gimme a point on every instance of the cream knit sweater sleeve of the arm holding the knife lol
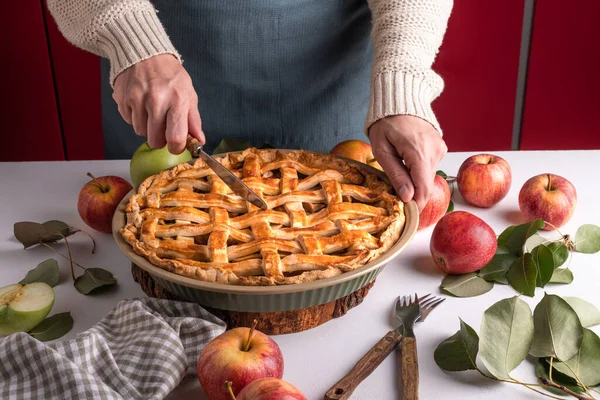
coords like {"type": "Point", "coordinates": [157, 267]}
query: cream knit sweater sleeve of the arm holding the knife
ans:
{"type": "Point", "coordinates": [124, 31]}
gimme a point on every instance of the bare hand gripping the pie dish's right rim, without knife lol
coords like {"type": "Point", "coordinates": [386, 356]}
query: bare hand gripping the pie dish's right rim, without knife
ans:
{"type": "Point", "coordinates": [409, 150]}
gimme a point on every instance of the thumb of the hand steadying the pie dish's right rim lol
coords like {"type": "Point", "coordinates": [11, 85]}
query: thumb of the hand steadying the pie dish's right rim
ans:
{"type": "Point", "coordinates": [395, 169]}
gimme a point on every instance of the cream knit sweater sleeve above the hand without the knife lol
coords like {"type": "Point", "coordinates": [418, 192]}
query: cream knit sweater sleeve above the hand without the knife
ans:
{"type": "Point", "coordinates": [406, 35]}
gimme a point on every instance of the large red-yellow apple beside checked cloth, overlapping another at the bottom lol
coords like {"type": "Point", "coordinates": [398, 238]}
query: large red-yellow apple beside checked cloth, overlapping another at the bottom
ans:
{"type": "Point", "coordinates": [240, 355]}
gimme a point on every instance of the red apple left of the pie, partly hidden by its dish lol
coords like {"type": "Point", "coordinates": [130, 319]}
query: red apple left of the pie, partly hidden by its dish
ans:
{"type": "Point", "coordinates": [99, 199]}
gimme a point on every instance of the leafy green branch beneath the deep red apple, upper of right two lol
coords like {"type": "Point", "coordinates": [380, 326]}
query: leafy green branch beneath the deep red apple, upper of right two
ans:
{"type": "Point", "coordinates": [525, 260]}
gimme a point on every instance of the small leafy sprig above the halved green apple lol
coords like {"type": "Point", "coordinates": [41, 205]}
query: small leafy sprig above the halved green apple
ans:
{"type": "Point", "coordinates": [32, 233]}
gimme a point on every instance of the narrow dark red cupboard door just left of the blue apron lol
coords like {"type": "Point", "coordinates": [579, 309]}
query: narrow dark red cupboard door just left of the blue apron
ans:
{"type": "Point", "coordinates": [77, 77]}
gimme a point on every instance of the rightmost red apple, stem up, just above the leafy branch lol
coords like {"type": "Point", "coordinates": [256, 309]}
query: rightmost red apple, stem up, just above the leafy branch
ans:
{"type": "Point", "coordinates": [549, 197]}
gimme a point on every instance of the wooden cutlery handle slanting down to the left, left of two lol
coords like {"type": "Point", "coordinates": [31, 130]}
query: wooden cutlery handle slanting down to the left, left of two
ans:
{"type": "Point", "coordinates": [363, 368]}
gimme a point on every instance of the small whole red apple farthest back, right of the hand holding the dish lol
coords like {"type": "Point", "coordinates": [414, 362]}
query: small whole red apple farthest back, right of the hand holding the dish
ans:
{"type": "Point", "coordinates": [484, 179]}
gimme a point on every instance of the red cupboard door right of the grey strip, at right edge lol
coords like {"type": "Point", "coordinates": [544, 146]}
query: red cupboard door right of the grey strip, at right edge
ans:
{"type": "Point", "coordinates": [562, 95]}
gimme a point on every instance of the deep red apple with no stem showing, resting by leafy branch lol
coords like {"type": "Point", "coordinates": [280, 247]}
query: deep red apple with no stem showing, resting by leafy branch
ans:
{"type": "Point", "coordinates": [462, 243]}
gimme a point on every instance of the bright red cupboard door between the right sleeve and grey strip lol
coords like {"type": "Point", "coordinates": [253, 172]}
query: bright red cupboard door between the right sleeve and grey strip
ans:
{"type": "Point", "coordinates": [479, 62]}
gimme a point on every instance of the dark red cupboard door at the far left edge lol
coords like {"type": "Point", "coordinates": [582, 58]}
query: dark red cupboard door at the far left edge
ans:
{"type": "Point", "coordinates": [30, 124]}
